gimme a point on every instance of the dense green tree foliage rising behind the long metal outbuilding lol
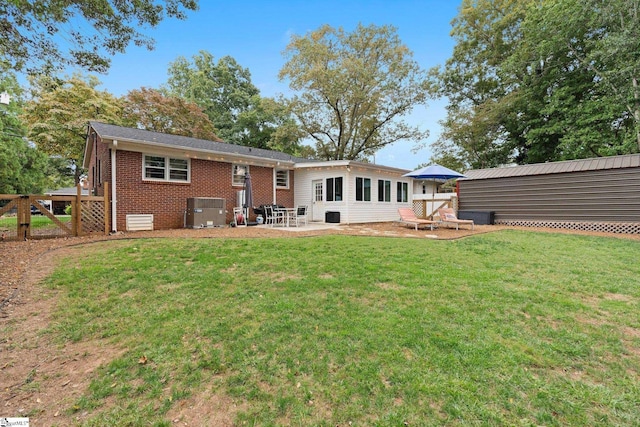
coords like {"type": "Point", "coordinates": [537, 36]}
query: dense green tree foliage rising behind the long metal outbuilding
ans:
{"type": "Point", "coordinates": [532, 82]}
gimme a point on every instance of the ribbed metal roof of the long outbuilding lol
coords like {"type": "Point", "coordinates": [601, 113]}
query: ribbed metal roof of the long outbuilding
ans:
{"type": "Point", "coordinates": [598, 163]}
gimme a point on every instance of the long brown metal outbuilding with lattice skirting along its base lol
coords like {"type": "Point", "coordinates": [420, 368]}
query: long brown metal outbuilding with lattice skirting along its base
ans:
{"type": "Point", "coordinates": [599, 194]}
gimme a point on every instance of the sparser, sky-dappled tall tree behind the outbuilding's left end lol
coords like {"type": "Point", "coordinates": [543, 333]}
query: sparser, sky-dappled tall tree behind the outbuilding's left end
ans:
{"type": "Point", "coordinates": [479, 129]}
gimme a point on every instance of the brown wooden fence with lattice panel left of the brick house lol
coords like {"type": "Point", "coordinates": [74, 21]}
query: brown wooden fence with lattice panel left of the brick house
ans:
{"type": "Point", "coordinates": [24, 217]}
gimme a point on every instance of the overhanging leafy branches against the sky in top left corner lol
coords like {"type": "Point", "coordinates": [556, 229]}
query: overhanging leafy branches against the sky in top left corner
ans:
{"type": "Point", "coordinates": [41, 35]}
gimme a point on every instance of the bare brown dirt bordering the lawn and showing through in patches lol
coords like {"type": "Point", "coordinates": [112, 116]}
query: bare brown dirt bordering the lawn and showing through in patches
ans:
{"type": "Point", "coordinates": [42, 379]}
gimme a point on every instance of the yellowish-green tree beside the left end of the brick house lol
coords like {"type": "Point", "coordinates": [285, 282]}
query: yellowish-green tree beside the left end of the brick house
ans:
{"type": "Point", "coordinates": [58, 113]}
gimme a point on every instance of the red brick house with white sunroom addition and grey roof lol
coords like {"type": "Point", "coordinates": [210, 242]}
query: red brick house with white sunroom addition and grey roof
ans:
{"type": "Point", "coordinates": [151, 173]}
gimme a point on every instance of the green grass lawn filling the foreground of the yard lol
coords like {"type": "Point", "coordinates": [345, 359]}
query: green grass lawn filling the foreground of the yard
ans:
{"type": "Point", "coordinates": [509, 328]}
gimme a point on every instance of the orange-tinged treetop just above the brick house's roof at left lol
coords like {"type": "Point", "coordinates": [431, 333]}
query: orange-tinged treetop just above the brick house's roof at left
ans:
{"type": "Point", "coordinates": [151, 110]}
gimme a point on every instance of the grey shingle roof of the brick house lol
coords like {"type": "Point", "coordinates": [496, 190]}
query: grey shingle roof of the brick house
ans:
{"type": "Point", "coordinates": [106, 131]}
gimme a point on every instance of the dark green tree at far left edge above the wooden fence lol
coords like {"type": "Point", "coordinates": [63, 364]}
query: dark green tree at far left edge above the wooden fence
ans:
{"type": "Point", "coordinates": [21, 165]}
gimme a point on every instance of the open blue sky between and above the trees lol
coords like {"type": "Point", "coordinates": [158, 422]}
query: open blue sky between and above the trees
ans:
{"type": "Point", "coordinates": [256, 33]}
